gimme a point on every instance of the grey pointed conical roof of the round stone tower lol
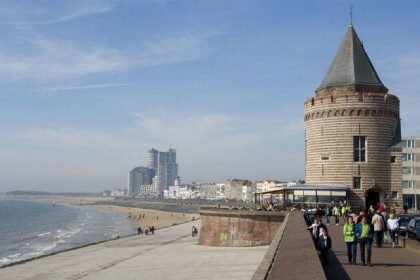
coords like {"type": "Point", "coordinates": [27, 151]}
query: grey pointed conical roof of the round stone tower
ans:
{"type": "Point", "coordinates": [351, 65]}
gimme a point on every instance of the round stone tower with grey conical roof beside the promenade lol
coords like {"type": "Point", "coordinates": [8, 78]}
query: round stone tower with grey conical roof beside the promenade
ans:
{"type": "Point", "coordinates": [352, 130]}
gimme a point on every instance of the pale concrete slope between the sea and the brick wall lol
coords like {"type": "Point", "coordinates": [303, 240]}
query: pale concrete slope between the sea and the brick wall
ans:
{"type": "Point", "coordinates": [169, 254]}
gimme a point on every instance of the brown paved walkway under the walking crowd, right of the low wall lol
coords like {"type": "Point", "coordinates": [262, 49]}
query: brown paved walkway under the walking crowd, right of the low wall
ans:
{"type": "Point", "coordinates": [388, 263]}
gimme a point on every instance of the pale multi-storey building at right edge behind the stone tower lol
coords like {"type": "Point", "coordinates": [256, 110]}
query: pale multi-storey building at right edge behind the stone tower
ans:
{"type": "Point", "coordinates": [411, 171]}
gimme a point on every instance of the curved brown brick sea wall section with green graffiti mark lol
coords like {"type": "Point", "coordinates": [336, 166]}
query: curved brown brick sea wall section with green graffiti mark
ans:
{"type": "Point", "coordinates": [238, 228]}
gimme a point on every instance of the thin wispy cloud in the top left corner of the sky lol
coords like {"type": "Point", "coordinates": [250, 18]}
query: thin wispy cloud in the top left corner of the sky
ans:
{"type": "Point", "coordinates": [32, 12]}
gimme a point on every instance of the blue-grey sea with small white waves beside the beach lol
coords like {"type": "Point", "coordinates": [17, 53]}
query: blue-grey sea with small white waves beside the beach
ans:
{"type": "Point", "coordinates": [31, 229]}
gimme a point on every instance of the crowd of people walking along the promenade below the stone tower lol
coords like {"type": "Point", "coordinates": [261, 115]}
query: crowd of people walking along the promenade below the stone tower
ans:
{"type": "Point", "coordinates": [362, 229]}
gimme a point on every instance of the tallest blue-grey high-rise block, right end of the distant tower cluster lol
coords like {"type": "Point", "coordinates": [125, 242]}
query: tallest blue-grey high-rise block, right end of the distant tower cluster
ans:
{"type": "Point", "coordinates": [166, 172]}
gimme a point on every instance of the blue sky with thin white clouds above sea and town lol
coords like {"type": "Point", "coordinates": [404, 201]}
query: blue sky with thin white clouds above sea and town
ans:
{"type": "Point", "coordinates": [88, 87]}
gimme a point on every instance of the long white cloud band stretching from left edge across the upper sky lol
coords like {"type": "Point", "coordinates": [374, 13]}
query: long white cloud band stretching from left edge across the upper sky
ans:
{"type": "Point", "coordinates": [47, 59]}
